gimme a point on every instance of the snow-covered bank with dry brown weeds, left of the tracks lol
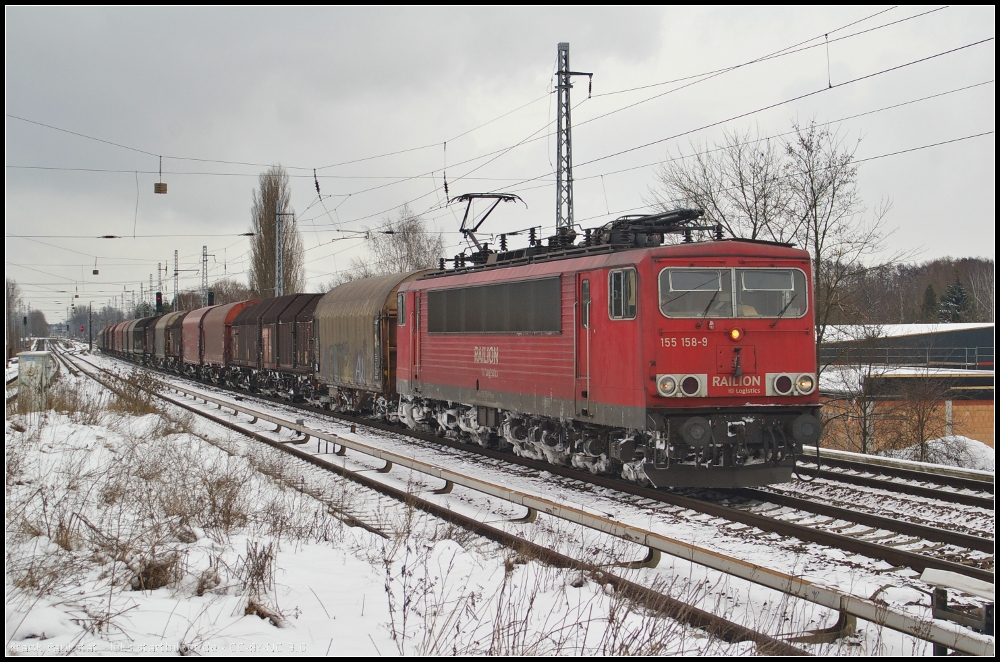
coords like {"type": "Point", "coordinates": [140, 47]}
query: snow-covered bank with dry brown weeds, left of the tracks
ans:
{"type": "Point", "coordinates": [127, 532]}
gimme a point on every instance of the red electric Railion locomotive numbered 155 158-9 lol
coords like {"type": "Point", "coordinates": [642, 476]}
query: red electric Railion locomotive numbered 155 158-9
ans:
{"type": "Point", "coordinates": [691, 364]}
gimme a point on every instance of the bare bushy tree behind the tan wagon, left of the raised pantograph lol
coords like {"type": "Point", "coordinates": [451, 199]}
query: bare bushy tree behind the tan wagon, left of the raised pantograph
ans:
{"type": "Point", "coordinates": [396, 245]}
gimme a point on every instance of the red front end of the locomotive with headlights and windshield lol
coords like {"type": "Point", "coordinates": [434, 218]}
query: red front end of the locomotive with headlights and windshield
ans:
{"type": "Point", "coordinates": [732, 386]}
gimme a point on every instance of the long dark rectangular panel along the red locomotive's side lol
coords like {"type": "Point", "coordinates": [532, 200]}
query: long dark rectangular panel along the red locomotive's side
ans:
{"type": "Point", "coordinates": [533, 306]}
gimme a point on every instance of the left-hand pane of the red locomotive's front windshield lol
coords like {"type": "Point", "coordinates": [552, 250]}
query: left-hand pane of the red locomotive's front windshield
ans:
{"type": "Point", "coordinates": [696, 293]}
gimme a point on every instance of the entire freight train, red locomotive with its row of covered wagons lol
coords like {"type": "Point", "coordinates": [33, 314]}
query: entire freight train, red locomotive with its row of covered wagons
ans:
{"type": "Point", "coordinates": [688, 364]}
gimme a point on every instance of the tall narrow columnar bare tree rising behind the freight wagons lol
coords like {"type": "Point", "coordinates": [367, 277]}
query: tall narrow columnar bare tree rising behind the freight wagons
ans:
{"type": "Point", "coordinates": [274, 189]}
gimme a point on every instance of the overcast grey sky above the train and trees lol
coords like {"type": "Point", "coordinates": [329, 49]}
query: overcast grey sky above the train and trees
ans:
{"type": "Point", "coordinates": [223, 93]}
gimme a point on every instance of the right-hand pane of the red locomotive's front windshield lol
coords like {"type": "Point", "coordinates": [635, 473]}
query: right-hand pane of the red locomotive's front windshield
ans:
{"type": "Point", "coordinates": [771, 293]}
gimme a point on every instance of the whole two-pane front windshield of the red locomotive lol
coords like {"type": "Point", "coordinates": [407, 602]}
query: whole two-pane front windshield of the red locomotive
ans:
{"type": "Point", "coordinates": [709, 293]}
